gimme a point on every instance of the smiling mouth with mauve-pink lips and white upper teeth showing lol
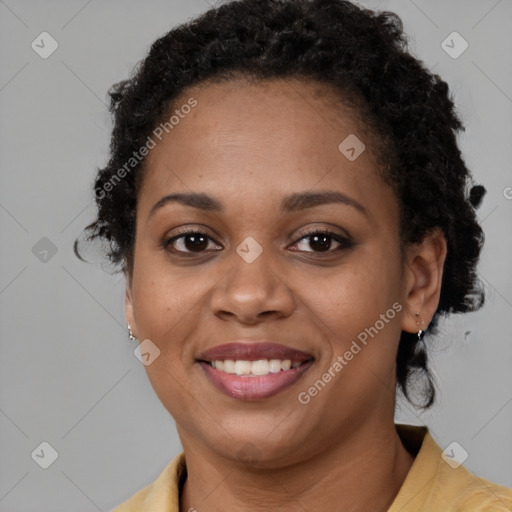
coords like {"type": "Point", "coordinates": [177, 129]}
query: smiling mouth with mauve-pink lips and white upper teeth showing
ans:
{"type": "Point", "coordinates": [253, 371]}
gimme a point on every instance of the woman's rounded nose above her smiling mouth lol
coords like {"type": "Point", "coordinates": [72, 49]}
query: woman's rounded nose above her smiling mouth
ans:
{"type": "Point", "coordinates": [251, 293]}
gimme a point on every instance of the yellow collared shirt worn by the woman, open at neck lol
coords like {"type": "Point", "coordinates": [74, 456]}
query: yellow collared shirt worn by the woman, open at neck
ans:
{"type": "Point", "coordinates": [432, 485]}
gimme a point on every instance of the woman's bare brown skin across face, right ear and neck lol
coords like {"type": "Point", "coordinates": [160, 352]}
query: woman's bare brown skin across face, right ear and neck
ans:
{"type": "Point", "coordinates": [250, 145]}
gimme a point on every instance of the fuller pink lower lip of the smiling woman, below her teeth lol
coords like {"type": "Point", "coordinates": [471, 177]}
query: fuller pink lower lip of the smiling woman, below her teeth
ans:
{"type": "Point", "coordinates": [254, 388]}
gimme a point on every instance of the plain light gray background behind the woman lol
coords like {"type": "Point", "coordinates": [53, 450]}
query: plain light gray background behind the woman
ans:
{"type": "Point", "coordinates": [68, 375]}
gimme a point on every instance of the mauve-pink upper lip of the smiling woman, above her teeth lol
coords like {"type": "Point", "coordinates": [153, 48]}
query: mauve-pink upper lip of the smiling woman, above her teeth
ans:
{"type": "Point", "coordinates": [253, 351]}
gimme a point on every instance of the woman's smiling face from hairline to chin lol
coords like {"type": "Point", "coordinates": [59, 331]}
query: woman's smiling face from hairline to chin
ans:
{"type": "Point", "coordinates": [263, 263]}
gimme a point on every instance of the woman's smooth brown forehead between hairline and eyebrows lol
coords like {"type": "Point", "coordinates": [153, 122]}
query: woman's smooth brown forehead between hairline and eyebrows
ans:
{"type": "Point", "coordinates": [247, 139]}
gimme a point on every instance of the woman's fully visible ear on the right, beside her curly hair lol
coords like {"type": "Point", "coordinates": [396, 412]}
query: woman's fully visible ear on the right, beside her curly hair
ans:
{"type": "Point", "coordinates": [424, 263]}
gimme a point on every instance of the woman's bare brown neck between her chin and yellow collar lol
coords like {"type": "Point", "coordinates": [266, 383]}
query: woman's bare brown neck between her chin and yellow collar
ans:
{"type": "Point", "coordinates": [362, 472]}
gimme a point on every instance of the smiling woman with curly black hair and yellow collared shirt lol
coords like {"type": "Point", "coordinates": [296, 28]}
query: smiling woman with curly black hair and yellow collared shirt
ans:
{"type": "Point", "coordinates": [287, 200]}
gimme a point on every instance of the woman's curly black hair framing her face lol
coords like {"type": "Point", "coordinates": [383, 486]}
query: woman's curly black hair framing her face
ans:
{"type": "Point", "coordinates": [361, 54]}
